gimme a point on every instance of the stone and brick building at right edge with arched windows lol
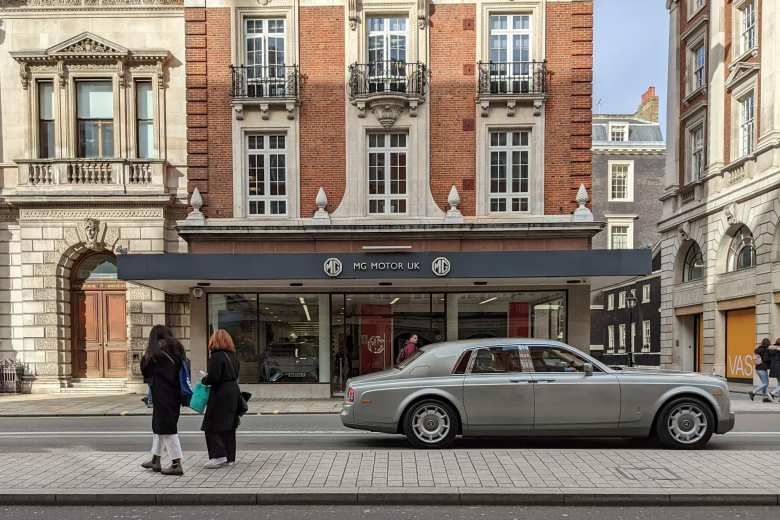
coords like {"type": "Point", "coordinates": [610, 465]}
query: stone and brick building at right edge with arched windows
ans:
{"type": "Point", "coordinates": [715, 309]}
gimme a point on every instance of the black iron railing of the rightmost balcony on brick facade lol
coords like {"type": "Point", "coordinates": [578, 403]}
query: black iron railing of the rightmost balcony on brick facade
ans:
{"type": "Point", "coordinates": [513, 77]}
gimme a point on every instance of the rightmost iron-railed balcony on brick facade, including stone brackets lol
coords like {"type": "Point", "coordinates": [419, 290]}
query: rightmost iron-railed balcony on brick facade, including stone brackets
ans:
{"type": "Point", "coordinates": [512, 83]}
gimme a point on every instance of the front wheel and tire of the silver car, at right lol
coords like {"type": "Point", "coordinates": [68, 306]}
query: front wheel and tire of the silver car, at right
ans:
{"type": "Point", "coordinates": [686, 423]}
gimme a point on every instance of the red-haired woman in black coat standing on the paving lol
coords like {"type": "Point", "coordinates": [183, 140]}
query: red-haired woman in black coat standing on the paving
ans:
{"type": "Point", "coordinates": [221, 418]}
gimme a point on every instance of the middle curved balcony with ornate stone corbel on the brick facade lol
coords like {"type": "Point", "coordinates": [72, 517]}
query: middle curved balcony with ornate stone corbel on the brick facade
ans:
{"type": "Point", "coordinates": [387, 88]}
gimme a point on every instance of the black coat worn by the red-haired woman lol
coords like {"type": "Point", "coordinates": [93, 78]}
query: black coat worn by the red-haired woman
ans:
{"type": "Point", "coordinates": [222, 409]}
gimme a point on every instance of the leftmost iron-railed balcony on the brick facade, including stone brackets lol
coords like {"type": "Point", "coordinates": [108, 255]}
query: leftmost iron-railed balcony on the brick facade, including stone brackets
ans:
{"type": "Point", "coordinates": [265, 87]}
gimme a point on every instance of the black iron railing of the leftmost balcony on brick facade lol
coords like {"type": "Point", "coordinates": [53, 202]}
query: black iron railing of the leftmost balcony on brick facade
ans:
{"type": "Point", "coordinates": [269, 81]}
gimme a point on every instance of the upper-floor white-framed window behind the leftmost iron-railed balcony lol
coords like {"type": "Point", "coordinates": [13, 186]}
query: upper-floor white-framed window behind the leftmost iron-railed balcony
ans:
{"type": "Point", "coordinates": [265, 39]}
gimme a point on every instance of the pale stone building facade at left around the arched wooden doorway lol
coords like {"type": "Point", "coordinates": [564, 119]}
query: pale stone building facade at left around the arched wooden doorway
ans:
{"type": "Point", "coordinates": [60, 207]}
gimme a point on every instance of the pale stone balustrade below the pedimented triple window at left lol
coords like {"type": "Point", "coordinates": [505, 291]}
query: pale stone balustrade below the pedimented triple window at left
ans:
{"type": "Point", "coordinates": [78, 176]}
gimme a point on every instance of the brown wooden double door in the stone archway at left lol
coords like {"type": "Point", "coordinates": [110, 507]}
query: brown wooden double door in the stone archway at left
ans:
{"type": "Point", "coordinates": [99, 333]}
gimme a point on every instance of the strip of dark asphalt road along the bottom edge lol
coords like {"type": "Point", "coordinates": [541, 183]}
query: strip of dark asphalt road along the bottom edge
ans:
{"type": "Point", "coordinates": [386, 513]}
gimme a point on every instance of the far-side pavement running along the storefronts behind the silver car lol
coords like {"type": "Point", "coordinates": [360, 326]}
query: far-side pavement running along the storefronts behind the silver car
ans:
{"type": "Point", "coordinates": [47, 405]}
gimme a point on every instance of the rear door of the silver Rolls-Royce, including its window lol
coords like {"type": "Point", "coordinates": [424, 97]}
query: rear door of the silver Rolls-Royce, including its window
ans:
{"type": "Point", "coordinates": [497, 392]}
